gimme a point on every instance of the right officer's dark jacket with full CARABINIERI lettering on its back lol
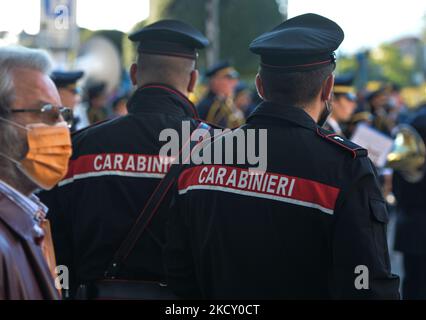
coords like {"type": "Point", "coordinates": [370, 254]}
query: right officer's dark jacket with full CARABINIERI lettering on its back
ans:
{"type": "Point", "coordinates": [307, 228]}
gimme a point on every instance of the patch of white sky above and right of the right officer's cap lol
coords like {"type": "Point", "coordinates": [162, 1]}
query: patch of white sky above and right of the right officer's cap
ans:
{"type": "Point", "coordinates": [367, 23]}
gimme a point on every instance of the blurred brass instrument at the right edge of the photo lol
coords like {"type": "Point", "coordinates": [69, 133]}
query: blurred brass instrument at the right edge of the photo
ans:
{"type": "Point", "coordinates": [408, 154]}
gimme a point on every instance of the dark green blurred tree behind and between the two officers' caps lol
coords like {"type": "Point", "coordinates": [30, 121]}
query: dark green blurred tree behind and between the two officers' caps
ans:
{"type": "Point", "coordinates": [240, 22]}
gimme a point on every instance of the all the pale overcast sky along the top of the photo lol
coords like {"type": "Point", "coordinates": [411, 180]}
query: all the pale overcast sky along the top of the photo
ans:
{"type": "Point", "coordinates": [366, 22]}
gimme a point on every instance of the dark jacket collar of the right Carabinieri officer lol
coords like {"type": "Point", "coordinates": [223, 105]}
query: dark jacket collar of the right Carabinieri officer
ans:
{"type": "Point", "coordinates": [274, 111]}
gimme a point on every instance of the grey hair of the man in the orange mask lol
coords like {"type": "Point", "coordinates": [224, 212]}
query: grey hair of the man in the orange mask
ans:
{"type": "Point", "coordinates": [18, 57]}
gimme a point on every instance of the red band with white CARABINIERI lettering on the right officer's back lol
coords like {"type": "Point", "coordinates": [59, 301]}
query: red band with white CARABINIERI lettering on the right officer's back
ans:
{"type": "Point", "coordinates": [278, 187]}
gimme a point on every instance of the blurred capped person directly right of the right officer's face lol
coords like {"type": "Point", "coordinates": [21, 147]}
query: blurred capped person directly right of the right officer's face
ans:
{"type": "Point", "coordinates": [343, 104]}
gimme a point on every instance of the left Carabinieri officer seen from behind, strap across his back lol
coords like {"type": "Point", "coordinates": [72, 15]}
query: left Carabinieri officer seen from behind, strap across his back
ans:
{"type": "Point", "coordinates": [116, 164]}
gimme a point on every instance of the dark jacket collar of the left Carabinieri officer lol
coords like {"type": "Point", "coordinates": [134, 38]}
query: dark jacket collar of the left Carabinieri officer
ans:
{"type": "Point", "coordinates": [161, 98]}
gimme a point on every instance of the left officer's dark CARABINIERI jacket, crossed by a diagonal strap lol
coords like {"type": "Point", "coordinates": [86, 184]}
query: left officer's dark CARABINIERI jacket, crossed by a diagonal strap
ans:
{"type": "Point", "coordinates": [114, 169]}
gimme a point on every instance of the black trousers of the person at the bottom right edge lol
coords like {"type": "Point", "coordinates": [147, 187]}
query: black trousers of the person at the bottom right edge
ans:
{"type": "Point", "coordinates": [414, 283]}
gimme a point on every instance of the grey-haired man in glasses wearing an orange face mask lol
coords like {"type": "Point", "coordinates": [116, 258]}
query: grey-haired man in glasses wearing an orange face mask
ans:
{"type": "Point", "coordinates": [34, 150]}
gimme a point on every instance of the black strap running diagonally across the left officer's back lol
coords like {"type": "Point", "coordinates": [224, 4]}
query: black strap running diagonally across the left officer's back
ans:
{"type": "Point", "coordinates": [145, 217]}
